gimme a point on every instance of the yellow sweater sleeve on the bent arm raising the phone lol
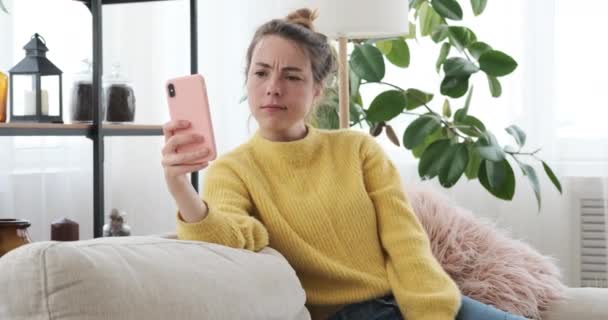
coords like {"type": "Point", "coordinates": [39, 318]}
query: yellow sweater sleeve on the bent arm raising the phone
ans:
{"type": "Point", "coordinates": [228, 221]}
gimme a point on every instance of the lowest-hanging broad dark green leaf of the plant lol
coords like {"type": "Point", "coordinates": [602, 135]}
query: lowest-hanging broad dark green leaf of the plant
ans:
{"type": "Point", "coordinates": [498, 178]}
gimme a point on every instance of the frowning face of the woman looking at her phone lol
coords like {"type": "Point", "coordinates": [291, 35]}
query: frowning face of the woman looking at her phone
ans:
{"type": "Point", "coordinates": [280, 86]}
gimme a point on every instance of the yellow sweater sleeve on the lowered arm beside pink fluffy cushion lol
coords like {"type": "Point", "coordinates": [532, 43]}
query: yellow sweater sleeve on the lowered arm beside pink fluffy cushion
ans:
{"type": "Point", "coordinates": [421, 287]}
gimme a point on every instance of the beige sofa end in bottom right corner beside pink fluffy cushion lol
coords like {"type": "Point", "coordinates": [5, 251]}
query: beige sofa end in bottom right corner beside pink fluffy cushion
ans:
{"type": "Point", "coordinates": [580, 303]}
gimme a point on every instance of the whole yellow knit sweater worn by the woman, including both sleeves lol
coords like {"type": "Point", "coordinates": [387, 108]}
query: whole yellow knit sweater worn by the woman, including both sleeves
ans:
{"type": "Point", "coordinates": [333, 205]}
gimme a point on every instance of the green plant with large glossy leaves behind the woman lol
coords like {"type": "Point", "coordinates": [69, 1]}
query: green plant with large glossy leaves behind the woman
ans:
{"type": "Point", "coordinates": [448, 144]}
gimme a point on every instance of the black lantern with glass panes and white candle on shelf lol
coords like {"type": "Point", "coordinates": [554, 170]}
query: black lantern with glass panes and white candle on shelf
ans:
{"type": "Point", "coordinates": [36, 88]}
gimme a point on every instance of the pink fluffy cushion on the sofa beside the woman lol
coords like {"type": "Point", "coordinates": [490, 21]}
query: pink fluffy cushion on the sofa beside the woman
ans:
{"type": "Point", "coordinates": [484, 261]}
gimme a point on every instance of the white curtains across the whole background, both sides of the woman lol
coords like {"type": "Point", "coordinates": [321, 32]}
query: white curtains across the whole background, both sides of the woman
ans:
{"type": "Point", "coordinates": [554, 95]}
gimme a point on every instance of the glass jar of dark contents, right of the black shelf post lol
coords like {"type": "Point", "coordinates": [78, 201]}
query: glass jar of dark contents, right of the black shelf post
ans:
{"type": "Point", "coordinates": [119, 97]}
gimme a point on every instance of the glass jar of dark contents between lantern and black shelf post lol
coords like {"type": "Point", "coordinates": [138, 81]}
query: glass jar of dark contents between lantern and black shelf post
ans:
{"type": "Point", "coordinates": [82, 95]}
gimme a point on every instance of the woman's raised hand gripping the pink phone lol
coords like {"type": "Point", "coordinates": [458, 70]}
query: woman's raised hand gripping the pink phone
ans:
{"type": "Point", "coordinates": [178, 165]}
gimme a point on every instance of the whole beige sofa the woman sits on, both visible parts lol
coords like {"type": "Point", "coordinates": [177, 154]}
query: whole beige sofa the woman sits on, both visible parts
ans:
{"type": "Point", "coordinates": [157, 278]}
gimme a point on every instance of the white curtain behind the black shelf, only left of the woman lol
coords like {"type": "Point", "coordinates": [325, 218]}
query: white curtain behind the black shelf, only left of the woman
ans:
{"type": "Point", "coordinates": [45, 178]}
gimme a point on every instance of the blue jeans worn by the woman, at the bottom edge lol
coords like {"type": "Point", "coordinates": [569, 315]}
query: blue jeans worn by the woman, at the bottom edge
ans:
{"type": "Point", "coordinates": [386, 308]}
